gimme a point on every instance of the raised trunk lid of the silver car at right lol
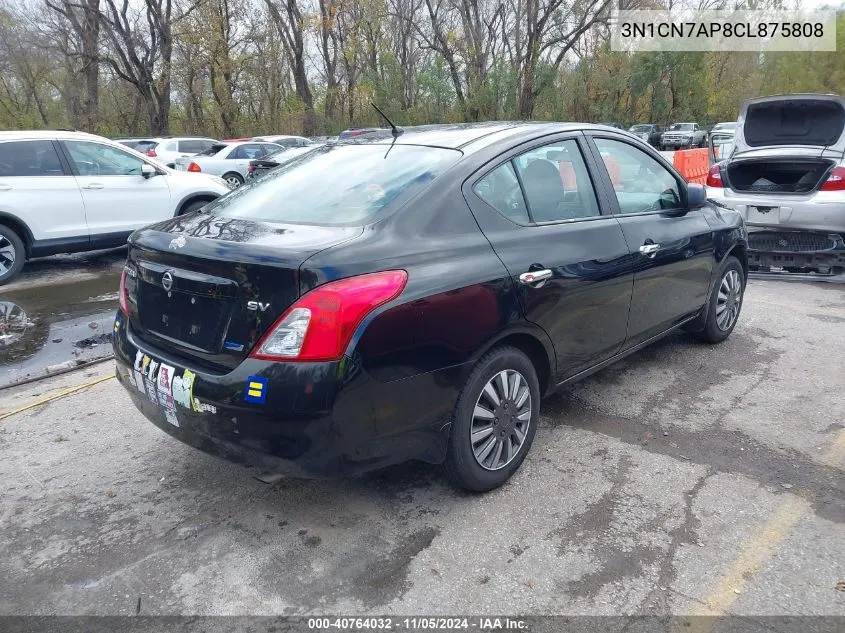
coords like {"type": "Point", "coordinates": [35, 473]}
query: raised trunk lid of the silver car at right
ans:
{"type": "Point", "coordinates": [793, 121]}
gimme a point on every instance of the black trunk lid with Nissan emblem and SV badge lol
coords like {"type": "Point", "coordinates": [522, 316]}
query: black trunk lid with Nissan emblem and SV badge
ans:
{"type": "Point", "coordinates": [208, 287]}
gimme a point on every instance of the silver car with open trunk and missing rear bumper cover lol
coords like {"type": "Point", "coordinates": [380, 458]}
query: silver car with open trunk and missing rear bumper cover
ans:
{"type": "Point", "coordinates": [786, 175]}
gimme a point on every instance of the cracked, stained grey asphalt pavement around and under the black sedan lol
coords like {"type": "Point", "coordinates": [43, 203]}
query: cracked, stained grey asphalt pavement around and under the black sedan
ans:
{"type": "Point", "coordinates": [687, 479]}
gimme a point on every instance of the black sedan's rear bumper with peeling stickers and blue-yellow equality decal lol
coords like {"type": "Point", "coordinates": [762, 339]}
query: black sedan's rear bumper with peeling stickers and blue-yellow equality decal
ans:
{"type": "Point", "coordinates": [307, 419]}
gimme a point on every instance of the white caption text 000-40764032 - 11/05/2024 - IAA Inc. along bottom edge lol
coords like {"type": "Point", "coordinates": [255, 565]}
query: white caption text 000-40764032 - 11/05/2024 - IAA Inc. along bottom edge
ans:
{"type": "Point", "coordinates": [416, 624]}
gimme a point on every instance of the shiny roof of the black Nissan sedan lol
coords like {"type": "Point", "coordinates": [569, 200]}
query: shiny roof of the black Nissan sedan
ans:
{"type": "Point", "coordinates": [467, 136]}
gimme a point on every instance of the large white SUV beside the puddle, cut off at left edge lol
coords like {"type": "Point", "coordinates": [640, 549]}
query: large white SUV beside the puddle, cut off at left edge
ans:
{"type": "Point", "coordinates": [65, 192]}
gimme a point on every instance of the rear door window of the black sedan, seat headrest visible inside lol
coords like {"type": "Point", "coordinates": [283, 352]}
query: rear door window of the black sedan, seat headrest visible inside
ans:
{"type": "Point", "coordinates": [556, 183]}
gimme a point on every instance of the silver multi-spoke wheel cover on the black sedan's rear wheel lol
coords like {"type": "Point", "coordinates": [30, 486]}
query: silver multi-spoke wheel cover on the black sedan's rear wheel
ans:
{"type": "Point", "coordinates": [500, 419]}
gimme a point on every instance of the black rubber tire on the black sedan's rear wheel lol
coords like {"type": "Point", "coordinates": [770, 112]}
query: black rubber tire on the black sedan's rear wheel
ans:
{"type": "Point", "coordinates": [462, 466]}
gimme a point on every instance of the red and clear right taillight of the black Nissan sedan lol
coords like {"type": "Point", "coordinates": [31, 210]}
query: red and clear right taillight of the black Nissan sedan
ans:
{"type": "Point", "coordinates": [319, 326]}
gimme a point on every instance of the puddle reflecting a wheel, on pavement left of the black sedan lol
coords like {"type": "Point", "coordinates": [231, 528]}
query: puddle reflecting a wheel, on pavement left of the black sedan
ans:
{"type": "Point", "coordinates": [48, 325]}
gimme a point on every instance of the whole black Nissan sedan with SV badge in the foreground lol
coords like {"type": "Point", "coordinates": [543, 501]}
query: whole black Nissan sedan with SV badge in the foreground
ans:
{"type": "Point", "coordinates": [416, 297]}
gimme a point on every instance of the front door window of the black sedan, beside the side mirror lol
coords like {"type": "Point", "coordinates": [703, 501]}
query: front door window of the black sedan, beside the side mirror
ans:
{"type": "Point", "coordinates": [639, 181]}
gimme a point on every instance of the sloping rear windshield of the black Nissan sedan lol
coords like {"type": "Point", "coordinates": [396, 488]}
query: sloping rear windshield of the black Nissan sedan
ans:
{"type": "Point", "coordinates": [337, 184]}
